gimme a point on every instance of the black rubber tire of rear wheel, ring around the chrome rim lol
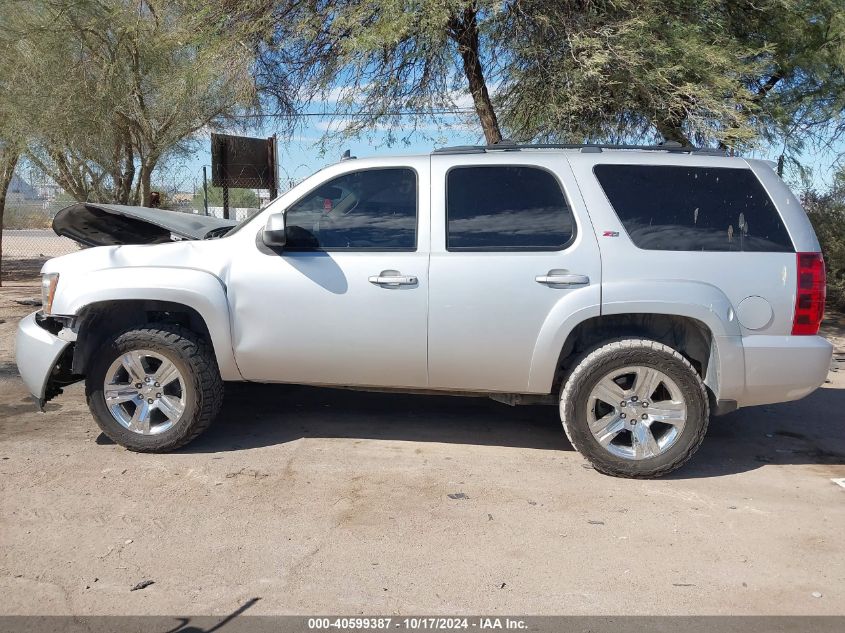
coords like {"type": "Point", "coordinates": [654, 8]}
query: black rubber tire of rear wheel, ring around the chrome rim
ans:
{"type": "Point", "coordinates": [590, 367]}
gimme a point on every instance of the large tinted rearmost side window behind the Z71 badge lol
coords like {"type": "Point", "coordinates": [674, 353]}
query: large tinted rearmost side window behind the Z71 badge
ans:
{"type": "Point", "coordinates": [674, 208]}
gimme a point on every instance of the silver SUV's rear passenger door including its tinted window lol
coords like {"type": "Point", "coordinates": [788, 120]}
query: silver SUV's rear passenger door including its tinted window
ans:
{"type": "Point", "coordinates": [511, 245]}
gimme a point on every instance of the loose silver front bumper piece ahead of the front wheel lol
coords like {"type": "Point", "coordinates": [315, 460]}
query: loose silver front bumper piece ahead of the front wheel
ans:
{"type": "Point", "coordinates": [37, 352]}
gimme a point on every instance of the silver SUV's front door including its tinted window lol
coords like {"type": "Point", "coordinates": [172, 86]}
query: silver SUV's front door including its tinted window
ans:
{"type": "Point", "coordinates": [345, 303]}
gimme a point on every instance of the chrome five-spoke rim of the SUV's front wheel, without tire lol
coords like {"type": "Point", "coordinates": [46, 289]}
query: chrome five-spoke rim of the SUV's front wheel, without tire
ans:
{"type": "Point", "coordinates": [144, 392]}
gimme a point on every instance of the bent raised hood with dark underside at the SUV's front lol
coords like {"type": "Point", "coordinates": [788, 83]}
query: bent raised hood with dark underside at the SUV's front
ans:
{"type": "Point", "coordinates": [94, 224]}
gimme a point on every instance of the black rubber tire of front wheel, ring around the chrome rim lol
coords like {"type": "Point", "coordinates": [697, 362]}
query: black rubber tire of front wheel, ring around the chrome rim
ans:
{"type": "Point", "coordinates": [195, 360]}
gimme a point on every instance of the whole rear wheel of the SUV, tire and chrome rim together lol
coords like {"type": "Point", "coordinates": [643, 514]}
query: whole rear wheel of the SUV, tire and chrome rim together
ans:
{"type": "Point", "coordinates": [640, 439]}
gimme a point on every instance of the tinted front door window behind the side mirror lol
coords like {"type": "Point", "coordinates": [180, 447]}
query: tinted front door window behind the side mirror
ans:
{"type": "Point", "coordinates": [374, 209]}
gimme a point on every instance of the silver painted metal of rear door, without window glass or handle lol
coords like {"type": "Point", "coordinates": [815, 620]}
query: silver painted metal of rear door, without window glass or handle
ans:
{"type": "Point", "coordinates": [490, 321]}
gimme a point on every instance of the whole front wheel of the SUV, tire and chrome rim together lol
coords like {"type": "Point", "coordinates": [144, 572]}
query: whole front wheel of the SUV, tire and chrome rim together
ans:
{"type": "Point", "coordinates": [177, 410]}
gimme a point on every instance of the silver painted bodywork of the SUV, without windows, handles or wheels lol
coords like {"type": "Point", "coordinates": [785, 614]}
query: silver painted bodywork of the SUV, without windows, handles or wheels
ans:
{"type": "Point", "coordinates": [477, 321]}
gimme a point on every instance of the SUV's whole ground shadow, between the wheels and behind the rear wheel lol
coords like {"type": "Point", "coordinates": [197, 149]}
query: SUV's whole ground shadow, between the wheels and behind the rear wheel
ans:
{"type": "Point", "coordinates": [810, 431]}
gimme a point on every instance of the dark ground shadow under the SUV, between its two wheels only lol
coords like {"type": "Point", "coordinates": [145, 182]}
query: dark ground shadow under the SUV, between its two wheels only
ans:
{"type": "Point", "coordinates": [262, 415]}
